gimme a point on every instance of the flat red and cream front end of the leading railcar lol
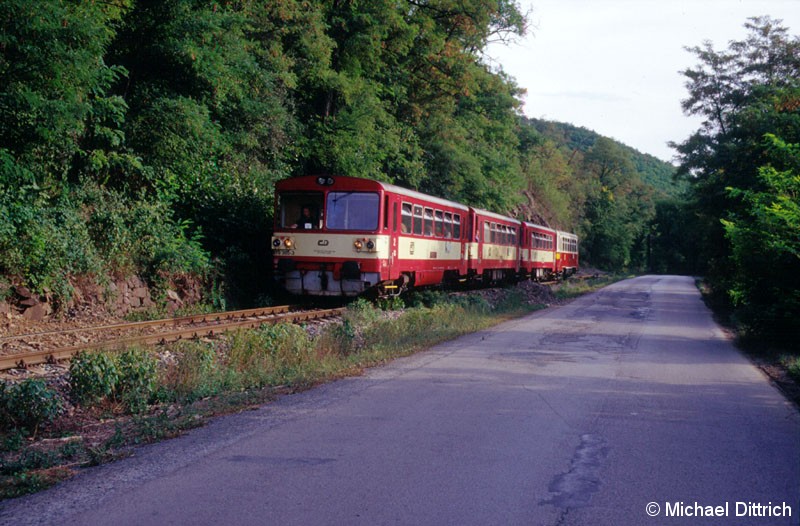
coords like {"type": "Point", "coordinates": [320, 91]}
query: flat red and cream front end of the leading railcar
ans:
{"type": "Point", "coordinates": [328, 237]}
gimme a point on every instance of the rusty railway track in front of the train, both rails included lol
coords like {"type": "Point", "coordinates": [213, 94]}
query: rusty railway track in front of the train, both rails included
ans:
{"type": "Point", "coordinates": [24, 350]}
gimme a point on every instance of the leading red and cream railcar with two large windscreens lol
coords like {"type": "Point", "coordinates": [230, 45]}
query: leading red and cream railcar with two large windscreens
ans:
{"type": "Point", "coordinates": [343, 236]}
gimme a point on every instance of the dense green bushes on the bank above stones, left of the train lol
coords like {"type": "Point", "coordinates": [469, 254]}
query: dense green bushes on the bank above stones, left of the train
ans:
{"type": "Point", "coordinates": [88, 229]}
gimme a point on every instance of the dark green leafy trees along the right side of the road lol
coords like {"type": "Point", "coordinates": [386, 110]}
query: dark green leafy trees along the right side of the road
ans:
{"type": "Point", "coordinates": [741, 163]}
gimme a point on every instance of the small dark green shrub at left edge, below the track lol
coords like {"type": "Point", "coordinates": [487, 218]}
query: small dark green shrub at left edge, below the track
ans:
{"type": "Point", "coordinates": [28, 404]}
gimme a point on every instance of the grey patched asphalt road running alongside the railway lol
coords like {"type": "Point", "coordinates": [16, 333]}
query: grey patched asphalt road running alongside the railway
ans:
{"type": "Point", "coordinates": [593, 413]}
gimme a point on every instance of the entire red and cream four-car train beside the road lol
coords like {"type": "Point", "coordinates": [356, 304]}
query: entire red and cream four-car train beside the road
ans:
{"type": "Point", "coordinates": [345, 236]}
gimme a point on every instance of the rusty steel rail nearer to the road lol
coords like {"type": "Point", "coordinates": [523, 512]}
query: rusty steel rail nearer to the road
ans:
{"type": "Point", "coordinates": [22, 360]}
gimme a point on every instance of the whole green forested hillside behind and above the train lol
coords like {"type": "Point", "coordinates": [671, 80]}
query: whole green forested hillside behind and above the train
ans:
{"type": "Point", "coordinates": [145, 137]}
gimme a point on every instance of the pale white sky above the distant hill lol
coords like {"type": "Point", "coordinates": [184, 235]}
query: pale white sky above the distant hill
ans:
{"type": "Point", "coordinates": [613, 66]}
